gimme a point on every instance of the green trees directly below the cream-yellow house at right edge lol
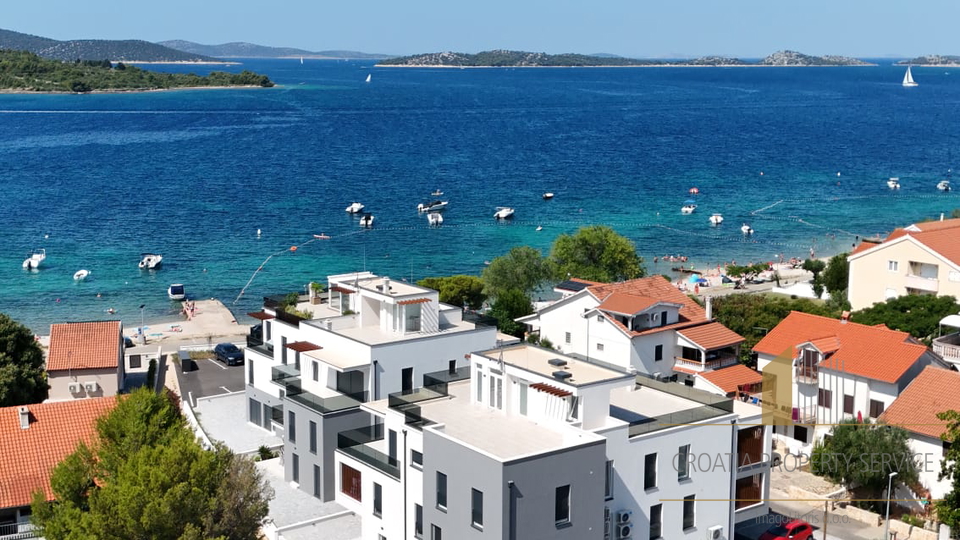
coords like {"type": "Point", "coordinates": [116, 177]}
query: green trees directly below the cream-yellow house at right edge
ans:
{"type": "Point", "coordinates": [917, 314]}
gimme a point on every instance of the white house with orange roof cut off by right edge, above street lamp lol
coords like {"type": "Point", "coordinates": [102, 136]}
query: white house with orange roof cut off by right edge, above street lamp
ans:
{"type": "Point", "coordinates": [933, 391]}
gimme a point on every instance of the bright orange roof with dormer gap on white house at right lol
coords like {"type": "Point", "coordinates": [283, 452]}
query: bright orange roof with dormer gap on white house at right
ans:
{"type": "Point", "coordinates": [873, 352]}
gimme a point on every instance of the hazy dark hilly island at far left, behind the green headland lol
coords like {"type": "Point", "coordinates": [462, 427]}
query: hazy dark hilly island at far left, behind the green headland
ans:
{"type": "Point", "coordinates": [98, 49]}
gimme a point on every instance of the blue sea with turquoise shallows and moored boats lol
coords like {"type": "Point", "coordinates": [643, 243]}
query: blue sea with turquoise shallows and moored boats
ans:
{"type": "Point", "coordinates": [98, 179]}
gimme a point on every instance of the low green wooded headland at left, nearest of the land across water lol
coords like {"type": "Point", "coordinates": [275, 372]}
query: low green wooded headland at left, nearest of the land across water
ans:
{"type": "Point", "coordinates": [23, 71]}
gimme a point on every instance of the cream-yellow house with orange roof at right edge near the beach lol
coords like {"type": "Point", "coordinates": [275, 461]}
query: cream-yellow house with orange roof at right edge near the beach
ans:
{"type": "Point", "coordinates": [923, 258]}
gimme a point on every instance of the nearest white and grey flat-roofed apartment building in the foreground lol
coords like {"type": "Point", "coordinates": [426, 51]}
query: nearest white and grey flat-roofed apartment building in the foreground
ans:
{"type": "Point", "coordinates": [528, 443]}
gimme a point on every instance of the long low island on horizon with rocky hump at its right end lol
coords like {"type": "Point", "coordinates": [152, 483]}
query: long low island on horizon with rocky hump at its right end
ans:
{"type": "Point", "coordinates": [503, 58]}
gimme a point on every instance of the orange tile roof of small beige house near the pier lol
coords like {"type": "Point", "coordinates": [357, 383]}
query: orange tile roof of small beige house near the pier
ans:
{"type": "Point", "coordinates": [86, 345]}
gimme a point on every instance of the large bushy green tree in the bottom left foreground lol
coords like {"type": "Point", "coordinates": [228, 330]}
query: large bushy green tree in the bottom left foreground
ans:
{"type": "Point", "coordinates": [146, 476]}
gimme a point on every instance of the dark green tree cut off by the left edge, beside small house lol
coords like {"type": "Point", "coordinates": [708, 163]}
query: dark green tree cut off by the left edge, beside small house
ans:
{"type": "Point", "coordinates": [23, 379]}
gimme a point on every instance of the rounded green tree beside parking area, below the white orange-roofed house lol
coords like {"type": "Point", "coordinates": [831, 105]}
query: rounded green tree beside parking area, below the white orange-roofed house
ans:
{"type": "Point", "coordinates": [877, 450]}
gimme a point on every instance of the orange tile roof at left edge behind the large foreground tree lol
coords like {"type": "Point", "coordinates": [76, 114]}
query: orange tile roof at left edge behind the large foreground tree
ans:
{"type": "Point", "coordinates": [29, 455]}
